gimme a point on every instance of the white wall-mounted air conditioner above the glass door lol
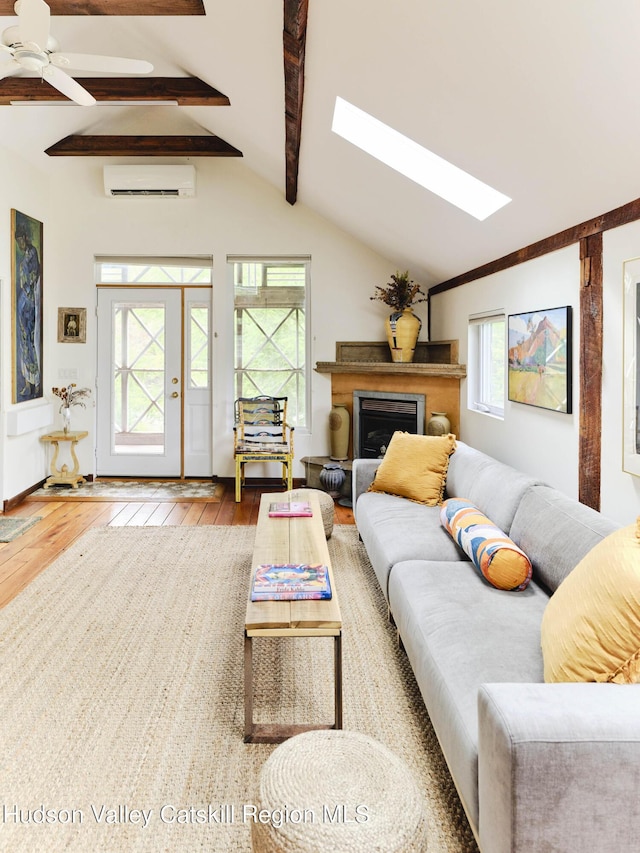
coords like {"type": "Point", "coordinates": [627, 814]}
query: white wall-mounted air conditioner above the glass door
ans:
{"type": "Point", "coordinates": [150, 181]}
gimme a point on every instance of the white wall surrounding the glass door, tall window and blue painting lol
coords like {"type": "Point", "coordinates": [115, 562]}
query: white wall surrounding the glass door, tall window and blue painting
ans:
{"type": "Point", "coordinates": [235, 212]}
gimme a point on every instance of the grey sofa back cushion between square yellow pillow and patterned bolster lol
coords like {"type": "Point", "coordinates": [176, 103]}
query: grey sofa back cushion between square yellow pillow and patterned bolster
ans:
{"type": "Point", "coordinates": [492, 486]}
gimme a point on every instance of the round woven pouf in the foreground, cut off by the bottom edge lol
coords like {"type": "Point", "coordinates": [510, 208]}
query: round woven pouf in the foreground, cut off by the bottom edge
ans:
{"type": "Point", "coordinates": [340, 791]}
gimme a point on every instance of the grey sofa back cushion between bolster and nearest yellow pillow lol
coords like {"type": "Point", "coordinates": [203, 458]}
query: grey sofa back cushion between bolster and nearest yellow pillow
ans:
{"type": "Point", "coordinates": [556, 532]}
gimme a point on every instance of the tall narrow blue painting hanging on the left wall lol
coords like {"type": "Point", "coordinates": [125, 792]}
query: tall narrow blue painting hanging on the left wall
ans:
{"type": "Point", "coordinates": [26, 307]}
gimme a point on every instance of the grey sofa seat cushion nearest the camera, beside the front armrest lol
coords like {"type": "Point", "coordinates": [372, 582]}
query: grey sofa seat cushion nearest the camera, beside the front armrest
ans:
{"type": "Point", "coordinates": [458, 633]}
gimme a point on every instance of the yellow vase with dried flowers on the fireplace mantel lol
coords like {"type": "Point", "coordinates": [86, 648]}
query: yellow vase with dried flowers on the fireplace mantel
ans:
{"type": "Point", "coordinates": [402, 325]}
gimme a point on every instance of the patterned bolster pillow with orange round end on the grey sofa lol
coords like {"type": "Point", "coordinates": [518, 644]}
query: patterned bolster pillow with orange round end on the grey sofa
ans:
{"type": "Point", "coordinates": [497, 557]}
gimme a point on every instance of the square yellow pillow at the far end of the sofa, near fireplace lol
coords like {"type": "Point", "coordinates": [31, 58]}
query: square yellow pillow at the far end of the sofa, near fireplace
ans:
{"type": "Point", "coordinates": [415, 467]}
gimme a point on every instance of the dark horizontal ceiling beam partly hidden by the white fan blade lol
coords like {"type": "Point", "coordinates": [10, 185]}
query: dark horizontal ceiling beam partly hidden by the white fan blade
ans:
{"type": "Point", "coordinates": [186, 91]}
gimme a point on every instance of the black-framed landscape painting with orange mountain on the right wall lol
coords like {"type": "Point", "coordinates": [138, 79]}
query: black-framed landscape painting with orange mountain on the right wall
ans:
{"type": "Point", "coordinates": [540, 358]}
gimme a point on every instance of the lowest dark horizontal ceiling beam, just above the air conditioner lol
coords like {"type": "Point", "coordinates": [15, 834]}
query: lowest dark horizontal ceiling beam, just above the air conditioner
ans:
{"type": "Point", "coordinates": [142, 146]}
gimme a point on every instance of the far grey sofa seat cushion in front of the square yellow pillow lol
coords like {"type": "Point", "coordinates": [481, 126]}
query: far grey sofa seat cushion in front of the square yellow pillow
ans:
{"type": "Point", "coordinates": [394, 529]}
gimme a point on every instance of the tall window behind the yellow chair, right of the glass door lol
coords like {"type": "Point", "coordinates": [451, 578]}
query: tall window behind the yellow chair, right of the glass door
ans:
{"type": "Point", "coordinates": [270, 331]}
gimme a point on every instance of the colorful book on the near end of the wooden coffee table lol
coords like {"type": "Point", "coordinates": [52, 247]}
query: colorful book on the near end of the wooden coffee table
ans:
{"type": "Point", "coordinates": [290, 582]}
